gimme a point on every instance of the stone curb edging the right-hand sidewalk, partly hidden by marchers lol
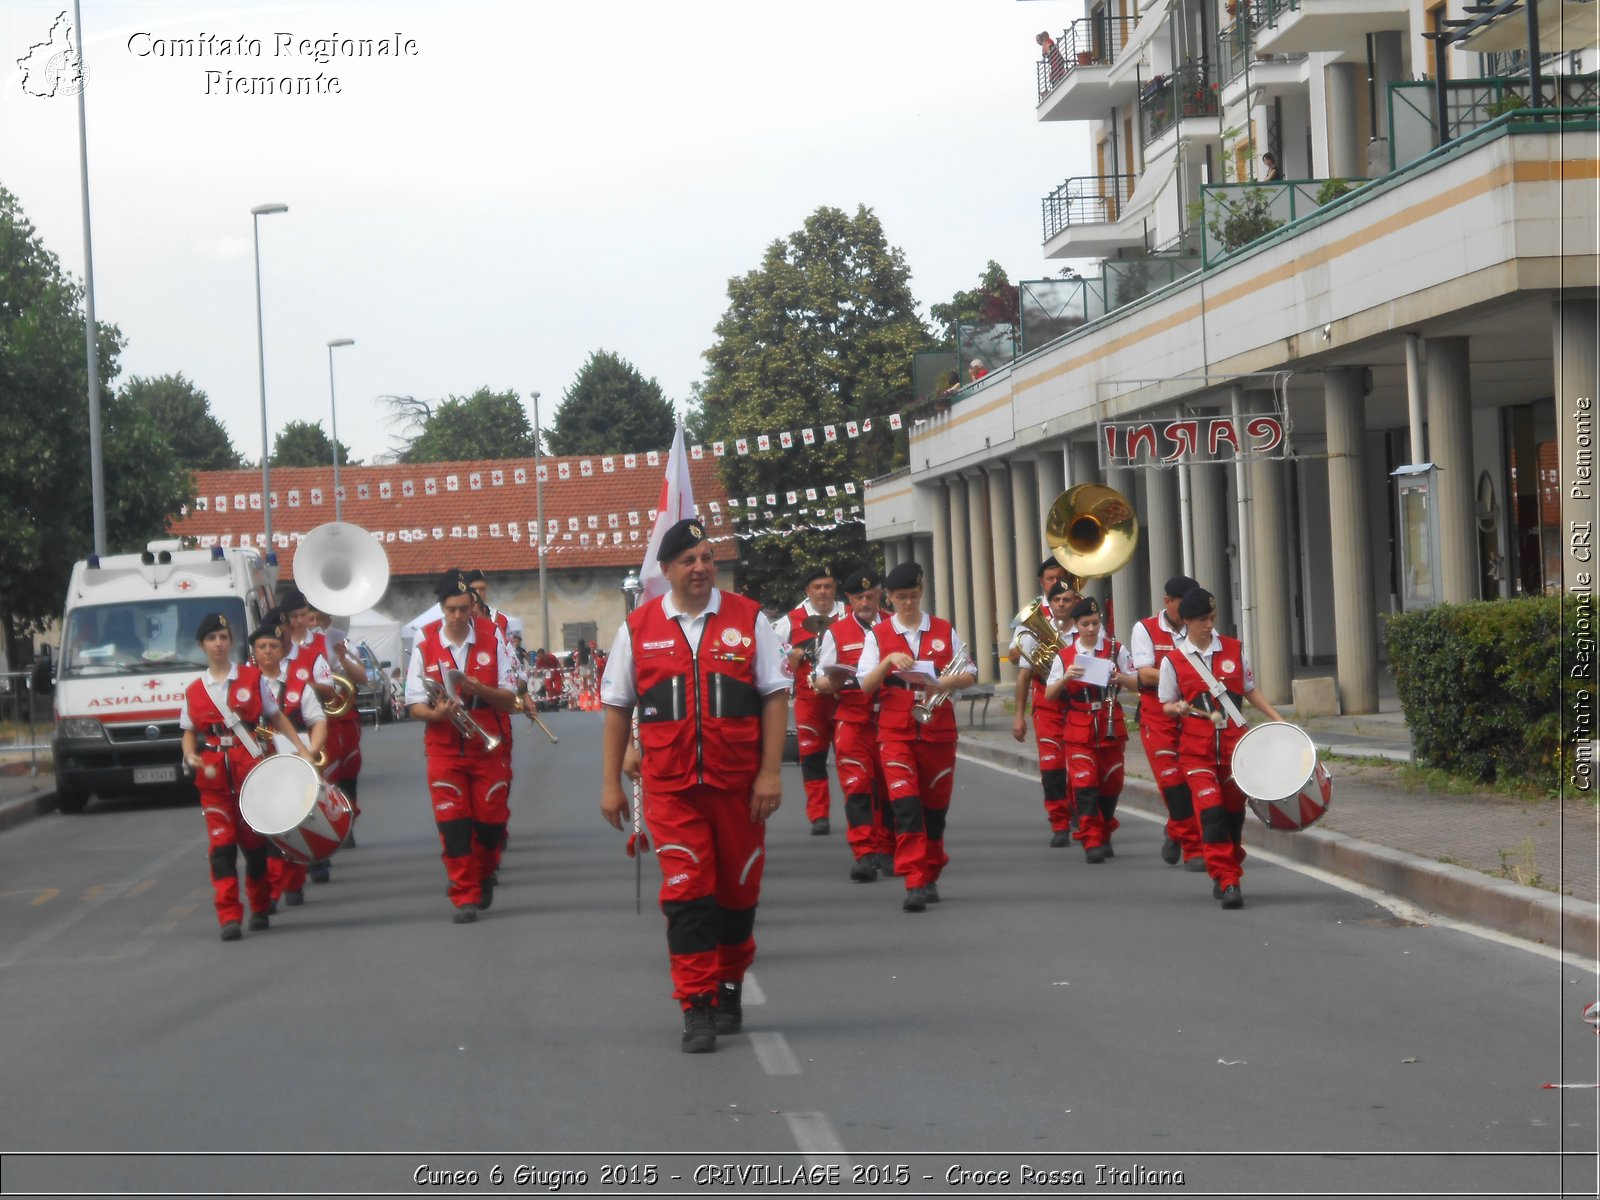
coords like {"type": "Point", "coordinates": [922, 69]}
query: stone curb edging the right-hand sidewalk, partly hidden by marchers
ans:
{"type": "Point", "coordinates": [1439, 887]}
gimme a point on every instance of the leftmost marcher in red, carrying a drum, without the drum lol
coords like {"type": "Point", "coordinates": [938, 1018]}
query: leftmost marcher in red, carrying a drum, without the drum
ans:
{"type": "Point", "coordinates": [222, 711]}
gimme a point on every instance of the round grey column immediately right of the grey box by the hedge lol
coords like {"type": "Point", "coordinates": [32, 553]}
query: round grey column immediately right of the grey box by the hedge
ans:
{"type": "Point", "coordinates": [1450, 447]}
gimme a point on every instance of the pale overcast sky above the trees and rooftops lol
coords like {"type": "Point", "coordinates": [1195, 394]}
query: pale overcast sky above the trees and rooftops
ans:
{"type": "Point", "coordinates": [537, 182]}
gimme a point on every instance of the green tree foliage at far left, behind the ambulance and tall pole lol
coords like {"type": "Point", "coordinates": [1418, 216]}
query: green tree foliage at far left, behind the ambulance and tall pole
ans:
{"type": "Point", "coordinates": [47, 519]}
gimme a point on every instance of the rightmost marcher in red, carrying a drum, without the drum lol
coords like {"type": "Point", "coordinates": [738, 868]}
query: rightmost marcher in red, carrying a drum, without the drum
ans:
{"type": "Point", "coordinates": [1207, 737]}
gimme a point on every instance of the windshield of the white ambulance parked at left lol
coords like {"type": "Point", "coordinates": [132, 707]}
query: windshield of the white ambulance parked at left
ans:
{"type": "Point", "coordinates": [142, 638]}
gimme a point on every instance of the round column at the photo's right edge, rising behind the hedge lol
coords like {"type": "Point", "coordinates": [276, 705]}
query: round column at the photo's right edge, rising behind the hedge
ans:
{"type": "Point", "coordinates": [1577, 369]}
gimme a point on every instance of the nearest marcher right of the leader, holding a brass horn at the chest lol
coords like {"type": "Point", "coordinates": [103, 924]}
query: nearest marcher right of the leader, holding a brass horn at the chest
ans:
{"type": "Point", "coordinates": [919, 758]}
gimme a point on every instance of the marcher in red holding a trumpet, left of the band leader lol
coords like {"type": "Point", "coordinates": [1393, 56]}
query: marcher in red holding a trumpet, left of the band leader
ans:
{"type": "Point", "coordinates": [468, 783]}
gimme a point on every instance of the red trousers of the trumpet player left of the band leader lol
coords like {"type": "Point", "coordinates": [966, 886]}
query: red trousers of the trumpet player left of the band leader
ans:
{"type": "Point", "coordinates": [470, 794]}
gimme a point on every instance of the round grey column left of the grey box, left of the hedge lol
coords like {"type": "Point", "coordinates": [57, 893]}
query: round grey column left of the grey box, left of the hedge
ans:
{"type": "Point", "coordinates": [1354, 634]}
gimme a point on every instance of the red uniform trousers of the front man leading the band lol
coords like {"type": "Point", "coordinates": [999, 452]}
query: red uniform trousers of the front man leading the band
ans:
{"type": "Point", "coordinates": [711, 857]}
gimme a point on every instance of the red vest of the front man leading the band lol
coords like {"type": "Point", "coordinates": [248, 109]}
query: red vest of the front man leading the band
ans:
{"type": "Point", "coordinates": [700, 716]}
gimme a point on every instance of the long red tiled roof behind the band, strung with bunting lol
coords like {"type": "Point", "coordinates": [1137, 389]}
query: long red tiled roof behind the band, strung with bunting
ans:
{"type": "Point", "coordinates": [431, 516]}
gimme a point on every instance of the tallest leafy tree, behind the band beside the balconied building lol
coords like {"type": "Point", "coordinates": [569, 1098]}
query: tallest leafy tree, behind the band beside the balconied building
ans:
{"type": "Point", "coordinates": [822, 334]}
